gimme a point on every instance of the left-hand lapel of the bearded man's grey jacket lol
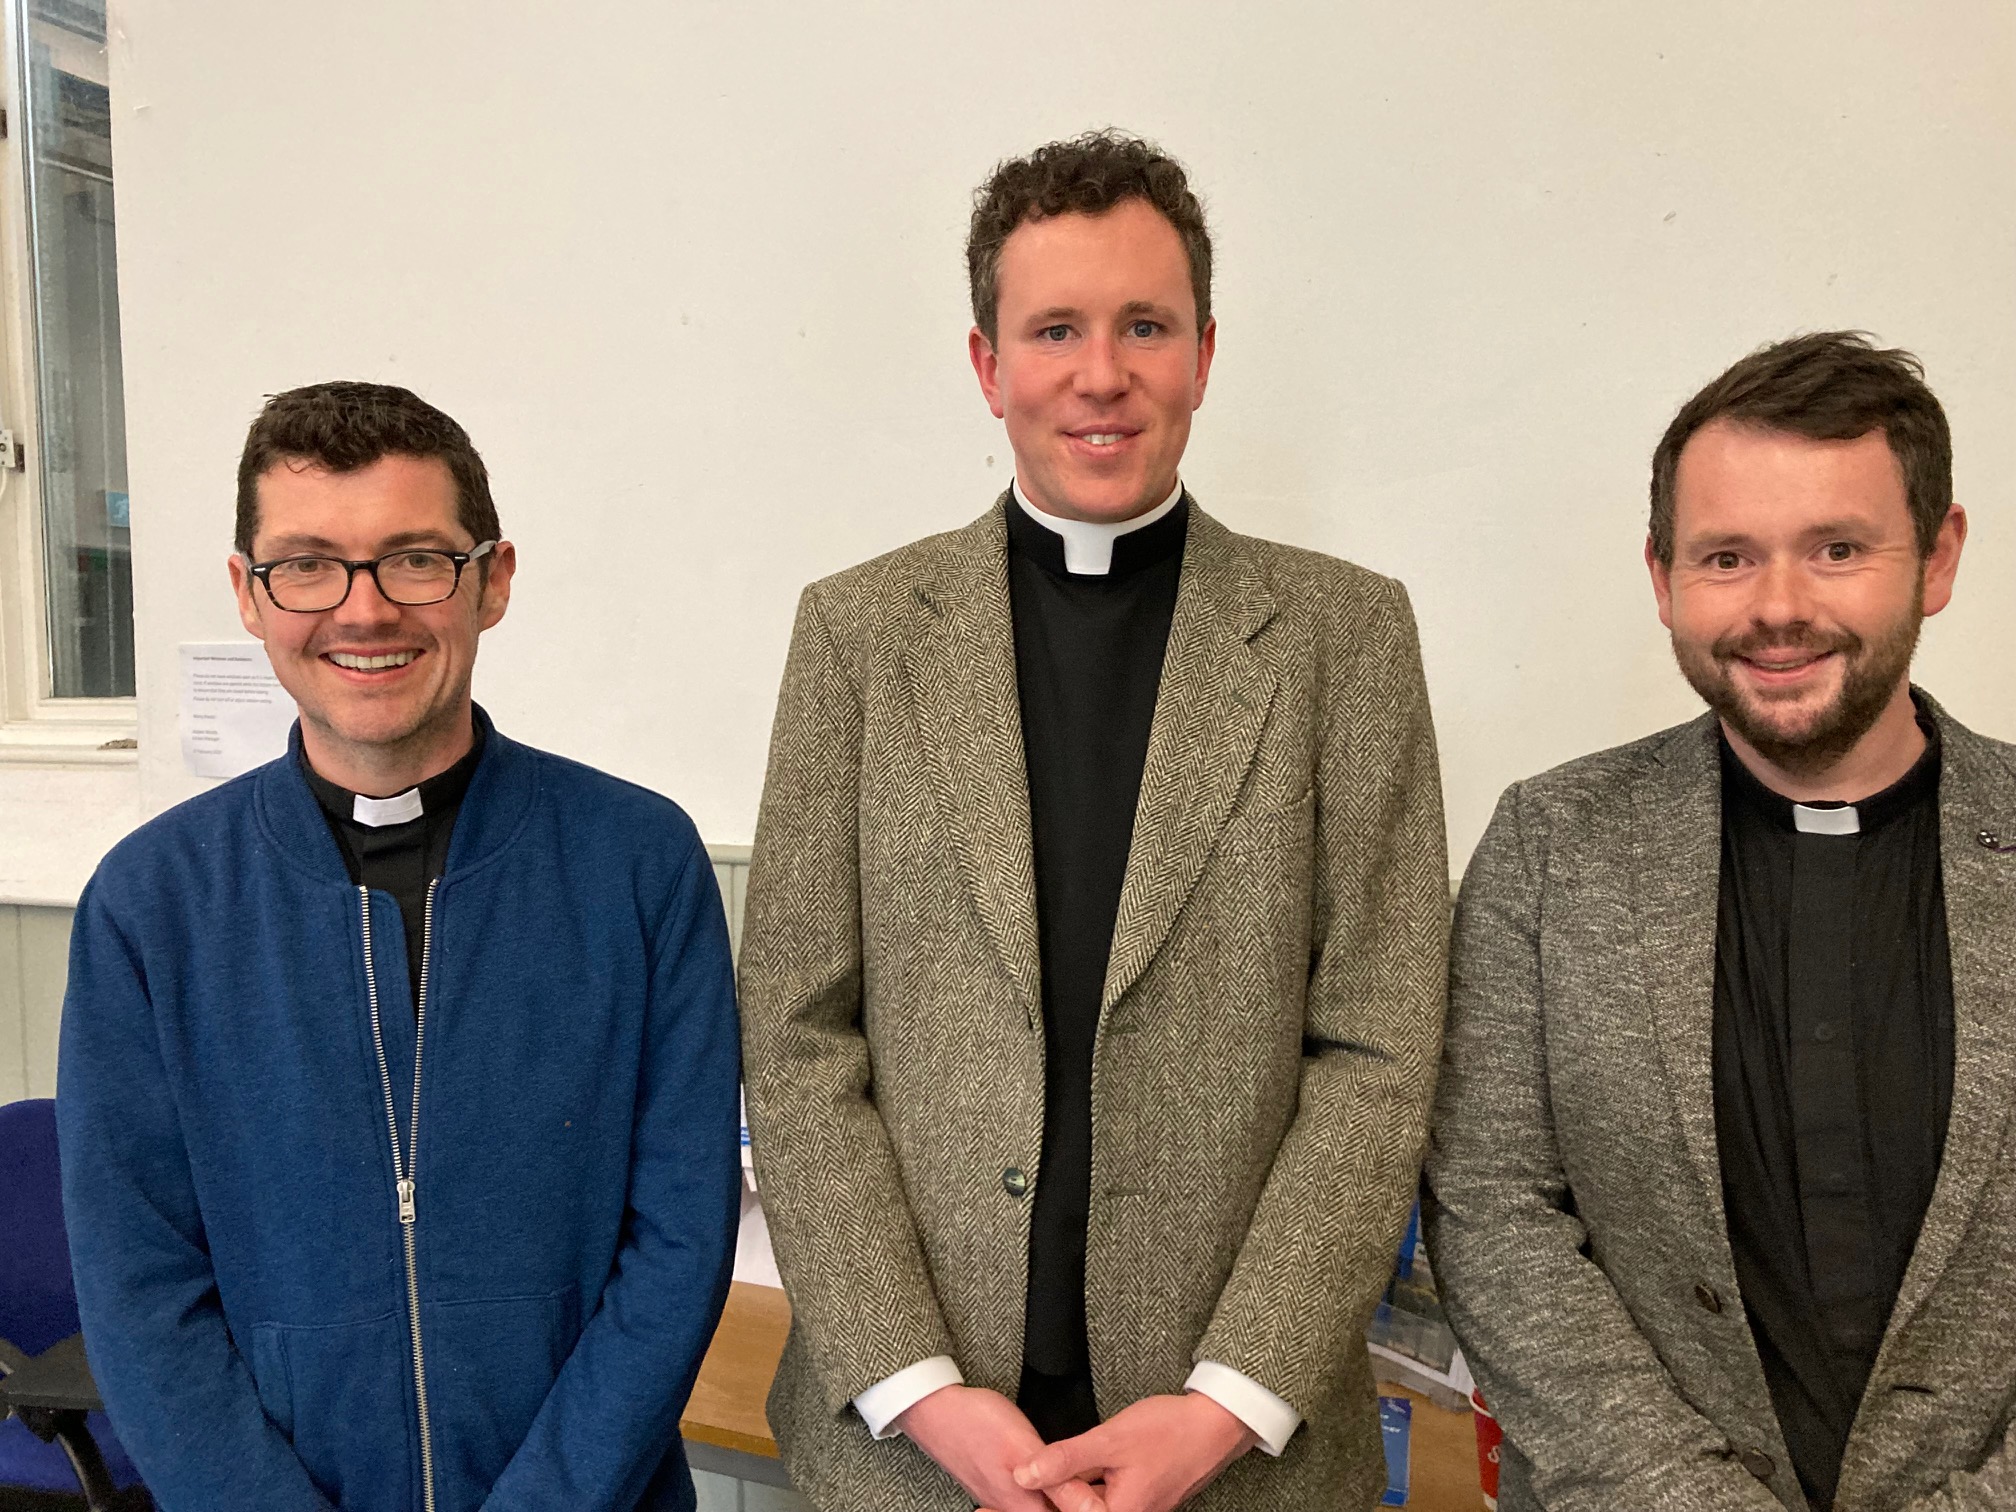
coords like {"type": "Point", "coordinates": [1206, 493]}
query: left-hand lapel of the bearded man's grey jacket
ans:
{"type": "Point", "coordinates": [1676, 876]}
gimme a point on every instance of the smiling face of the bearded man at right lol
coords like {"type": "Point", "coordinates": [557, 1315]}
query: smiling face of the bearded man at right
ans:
{"type": "Point", "coordinates": [1797, 590]}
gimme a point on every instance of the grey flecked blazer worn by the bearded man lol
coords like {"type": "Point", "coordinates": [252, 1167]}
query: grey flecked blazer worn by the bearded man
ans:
{"type": "Point", "coordinates": [1578, 1221]}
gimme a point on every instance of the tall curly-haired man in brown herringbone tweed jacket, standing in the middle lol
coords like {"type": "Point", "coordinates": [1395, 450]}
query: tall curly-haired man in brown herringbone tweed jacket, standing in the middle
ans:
{"type": "Point", "coordinates": [1100, 864]}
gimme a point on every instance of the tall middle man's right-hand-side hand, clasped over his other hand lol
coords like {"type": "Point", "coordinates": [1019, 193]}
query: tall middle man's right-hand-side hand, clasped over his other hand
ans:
{"type": "Point", "coordinates": [1152, 1457]}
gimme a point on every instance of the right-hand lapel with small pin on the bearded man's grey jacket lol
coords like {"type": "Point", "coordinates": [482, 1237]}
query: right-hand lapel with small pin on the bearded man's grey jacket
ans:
{"type": "Point", "coordinates": [1977, 815]}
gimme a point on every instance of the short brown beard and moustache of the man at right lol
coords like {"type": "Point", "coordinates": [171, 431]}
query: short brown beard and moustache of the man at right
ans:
{"type": "Point", "coordinates": [1777, 729]}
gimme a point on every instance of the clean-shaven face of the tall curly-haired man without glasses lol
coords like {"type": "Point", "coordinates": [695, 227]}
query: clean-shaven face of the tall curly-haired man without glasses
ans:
{"type": "Point", "coordinates": [1098, 360]}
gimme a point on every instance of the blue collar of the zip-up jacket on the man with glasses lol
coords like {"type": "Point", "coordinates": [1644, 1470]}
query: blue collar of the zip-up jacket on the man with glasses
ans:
{"type": "Point", "coordinates": [493, 811]}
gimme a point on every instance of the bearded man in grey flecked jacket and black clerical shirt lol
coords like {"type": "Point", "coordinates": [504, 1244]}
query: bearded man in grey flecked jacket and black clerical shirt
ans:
{"type": "Point", "coordinates": [1725, 1201]}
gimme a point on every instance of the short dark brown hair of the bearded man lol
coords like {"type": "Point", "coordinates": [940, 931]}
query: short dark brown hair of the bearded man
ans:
{"type": "Point", "coordinates": [1828, 386]}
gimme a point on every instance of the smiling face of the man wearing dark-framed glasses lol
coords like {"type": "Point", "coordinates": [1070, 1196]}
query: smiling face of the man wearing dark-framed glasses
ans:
{"type": "Point", "coordinates": [384, 688]}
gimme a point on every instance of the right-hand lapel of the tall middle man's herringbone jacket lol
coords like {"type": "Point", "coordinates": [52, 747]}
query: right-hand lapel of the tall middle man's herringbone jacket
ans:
{"type": "Point", "coordinates": [1211, 709]}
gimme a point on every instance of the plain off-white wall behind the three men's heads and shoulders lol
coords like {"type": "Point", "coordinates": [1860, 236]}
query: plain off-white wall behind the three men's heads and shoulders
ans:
{"type": "Point", "coordinates": [692, 279]}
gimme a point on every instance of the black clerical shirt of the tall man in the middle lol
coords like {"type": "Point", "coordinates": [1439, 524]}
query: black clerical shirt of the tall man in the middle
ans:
{"type": "Point", "coordinates": [1088, 670]}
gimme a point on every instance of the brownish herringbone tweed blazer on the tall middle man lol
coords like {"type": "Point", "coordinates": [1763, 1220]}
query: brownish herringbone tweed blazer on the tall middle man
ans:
{"type": "Point", "coordinates": [1267, 1039]}
